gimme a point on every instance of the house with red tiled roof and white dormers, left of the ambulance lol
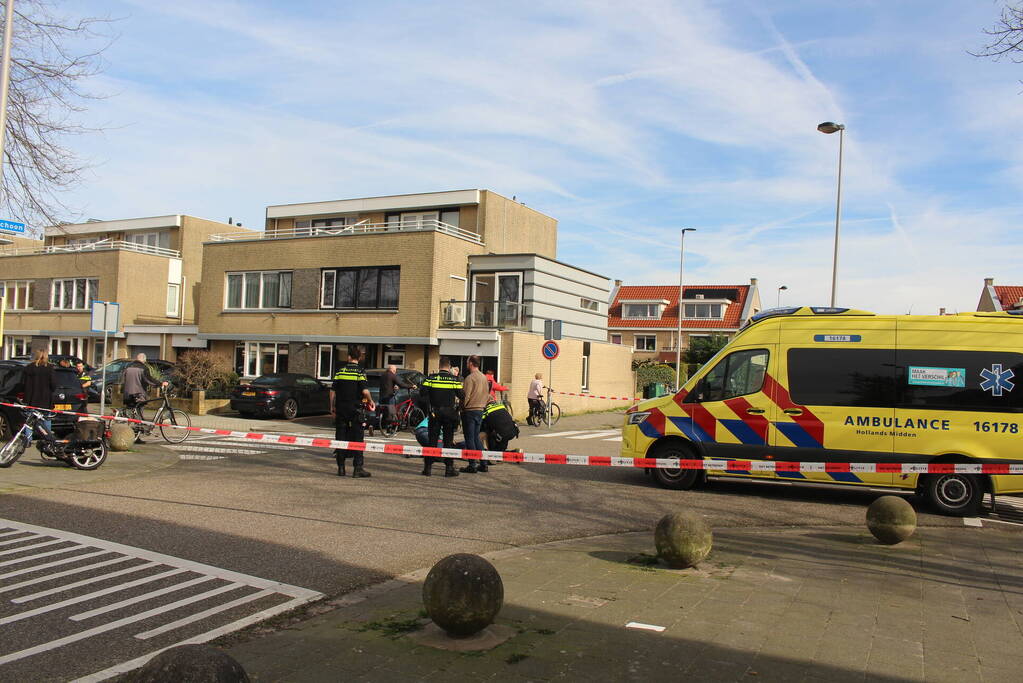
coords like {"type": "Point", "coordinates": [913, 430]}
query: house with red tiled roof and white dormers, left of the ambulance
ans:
{"type": "Point", "coordinates": [646, 317]}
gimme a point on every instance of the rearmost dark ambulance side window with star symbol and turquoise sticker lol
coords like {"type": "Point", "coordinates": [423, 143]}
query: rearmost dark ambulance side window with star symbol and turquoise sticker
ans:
{"type": "Point", "coordinates": [981, 381]}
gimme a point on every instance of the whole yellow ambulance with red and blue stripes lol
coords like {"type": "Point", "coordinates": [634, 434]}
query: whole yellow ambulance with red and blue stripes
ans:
{"type": "Point", "coordinates": [841, 386]}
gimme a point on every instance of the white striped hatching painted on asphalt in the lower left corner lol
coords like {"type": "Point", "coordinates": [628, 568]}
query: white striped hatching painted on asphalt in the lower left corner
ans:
{"type": "Point", "coordinates": [86, 548]}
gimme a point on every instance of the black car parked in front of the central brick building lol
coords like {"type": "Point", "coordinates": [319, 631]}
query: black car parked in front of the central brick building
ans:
{"type": "Point", "coordinates": [284, 394]}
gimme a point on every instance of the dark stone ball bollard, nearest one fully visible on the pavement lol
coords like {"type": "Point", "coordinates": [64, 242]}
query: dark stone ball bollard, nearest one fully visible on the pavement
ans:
{"type": "Point", "coordinates": [463, 595]}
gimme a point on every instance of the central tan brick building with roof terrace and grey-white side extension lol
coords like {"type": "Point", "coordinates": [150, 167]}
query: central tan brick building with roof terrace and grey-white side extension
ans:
{"type": "Point", "coordinates": [409, 279]}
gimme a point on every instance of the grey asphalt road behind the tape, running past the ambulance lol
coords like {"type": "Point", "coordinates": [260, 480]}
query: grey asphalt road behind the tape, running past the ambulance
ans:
{"type": "Point", "coordinates": [281, 515]}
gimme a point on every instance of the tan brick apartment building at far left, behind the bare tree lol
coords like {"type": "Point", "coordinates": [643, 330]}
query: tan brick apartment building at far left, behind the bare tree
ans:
{"type": "Point", "coordinates": [151, 266]}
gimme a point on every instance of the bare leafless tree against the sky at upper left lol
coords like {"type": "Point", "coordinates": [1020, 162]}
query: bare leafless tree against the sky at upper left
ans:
{"type": "Point", "coordinates": [53, 59]}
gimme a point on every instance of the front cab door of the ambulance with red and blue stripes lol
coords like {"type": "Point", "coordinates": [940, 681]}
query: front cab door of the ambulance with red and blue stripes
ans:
{"type": "Point", "coordinates": [729, 413]}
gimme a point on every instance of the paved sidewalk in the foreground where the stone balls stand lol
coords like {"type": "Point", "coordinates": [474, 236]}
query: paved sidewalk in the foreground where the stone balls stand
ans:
{"type": "Point", "coordinates": [770, 605]}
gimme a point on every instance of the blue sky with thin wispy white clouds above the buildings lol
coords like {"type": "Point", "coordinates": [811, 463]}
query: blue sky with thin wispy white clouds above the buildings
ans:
{"type": "Point", "coordinates": [625, 121]}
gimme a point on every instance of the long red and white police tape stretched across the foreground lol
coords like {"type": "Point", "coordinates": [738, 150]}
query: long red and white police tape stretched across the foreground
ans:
{"type": "Point", "coordinates": [593, 461]}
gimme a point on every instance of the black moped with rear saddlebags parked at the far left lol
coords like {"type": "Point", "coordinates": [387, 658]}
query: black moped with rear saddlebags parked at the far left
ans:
{"type": "Point", "coordinates": [85, 450]}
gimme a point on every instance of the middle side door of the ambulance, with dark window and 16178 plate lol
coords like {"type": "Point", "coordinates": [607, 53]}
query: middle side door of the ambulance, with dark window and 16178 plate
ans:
{"type": "Point", "coordinates": [836, 396]}
